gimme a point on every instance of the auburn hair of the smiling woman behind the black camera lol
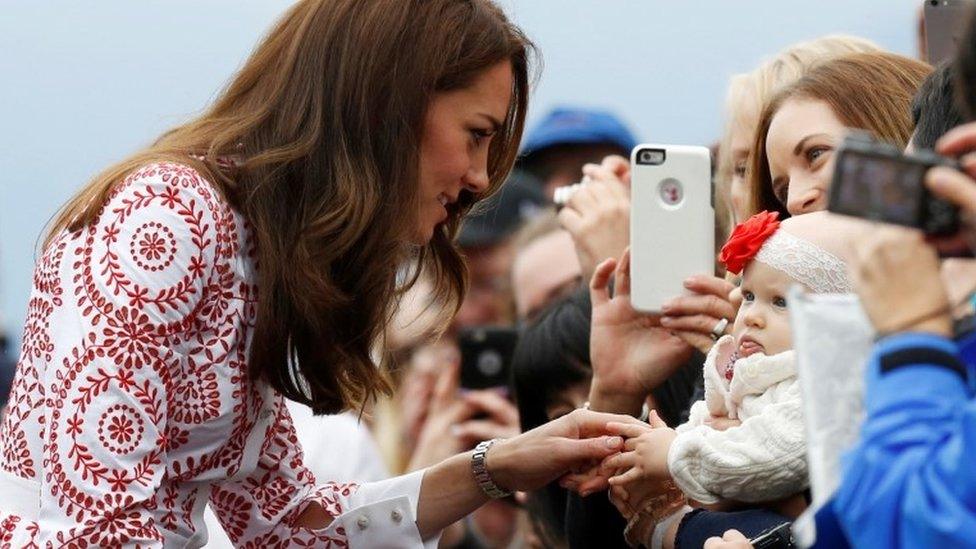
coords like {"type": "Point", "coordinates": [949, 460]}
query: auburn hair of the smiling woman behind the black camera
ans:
{"type": "Point", "coordinates": [870, 91]}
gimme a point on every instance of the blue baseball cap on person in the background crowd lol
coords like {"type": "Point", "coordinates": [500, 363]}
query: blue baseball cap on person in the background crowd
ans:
{"type": "Point", "coordinates": [577, 126]}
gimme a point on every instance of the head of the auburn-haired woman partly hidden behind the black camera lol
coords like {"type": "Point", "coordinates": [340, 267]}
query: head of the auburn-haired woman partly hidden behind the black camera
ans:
{"type": "Point", "coordinates": [804, 123]}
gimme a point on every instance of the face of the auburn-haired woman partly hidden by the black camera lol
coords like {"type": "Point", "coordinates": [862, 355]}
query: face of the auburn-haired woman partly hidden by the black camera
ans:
{"type": "Point", "coordinates": [800, 148]}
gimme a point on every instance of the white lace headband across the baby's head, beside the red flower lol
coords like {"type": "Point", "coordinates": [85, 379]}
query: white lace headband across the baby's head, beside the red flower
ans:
{"type": "Point", "coordinates": [809, 264]}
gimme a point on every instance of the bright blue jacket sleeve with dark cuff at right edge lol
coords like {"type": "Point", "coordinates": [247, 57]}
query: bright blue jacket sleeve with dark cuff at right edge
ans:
{"type": "Point", "coordinates": [911, 479]}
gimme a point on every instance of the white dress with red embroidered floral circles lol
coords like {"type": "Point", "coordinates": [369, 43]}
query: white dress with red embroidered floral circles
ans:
{"type": "Point", "coordinates": [132, 407]}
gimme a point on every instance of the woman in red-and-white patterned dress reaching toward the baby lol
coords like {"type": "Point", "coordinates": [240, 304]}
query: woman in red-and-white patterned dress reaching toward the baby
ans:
{"type": "Point", "coordinates": [252, 255]}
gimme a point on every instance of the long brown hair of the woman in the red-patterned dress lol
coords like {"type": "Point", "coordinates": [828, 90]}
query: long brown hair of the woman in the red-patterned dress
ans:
{"type": "Point", "coordinates": [325, 120]}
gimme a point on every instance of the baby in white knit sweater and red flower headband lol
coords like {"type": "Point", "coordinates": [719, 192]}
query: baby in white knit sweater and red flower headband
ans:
{"type": "Point", "coordinates": [750, 377]}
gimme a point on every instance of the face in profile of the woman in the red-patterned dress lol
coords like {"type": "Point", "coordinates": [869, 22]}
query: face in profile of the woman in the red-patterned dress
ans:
{"type": "Point", "coordinates": [459, 127]}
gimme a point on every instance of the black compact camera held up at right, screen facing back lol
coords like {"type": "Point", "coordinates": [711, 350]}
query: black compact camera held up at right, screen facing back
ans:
{"type": "Point", "coordinates": [876, 181]}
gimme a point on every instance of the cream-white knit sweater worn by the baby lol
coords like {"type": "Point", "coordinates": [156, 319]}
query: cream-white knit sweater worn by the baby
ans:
{"type": "Point", "coordinates": [764, 458]}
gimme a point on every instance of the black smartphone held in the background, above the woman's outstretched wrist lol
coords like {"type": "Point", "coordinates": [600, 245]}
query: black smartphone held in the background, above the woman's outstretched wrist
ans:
{"type": "Point", "coordinates": [486, 356]}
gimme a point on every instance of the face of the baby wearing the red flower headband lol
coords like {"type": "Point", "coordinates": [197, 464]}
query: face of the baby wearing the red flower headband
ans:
{"type": "Point", "coordinates": [763, 325]}
